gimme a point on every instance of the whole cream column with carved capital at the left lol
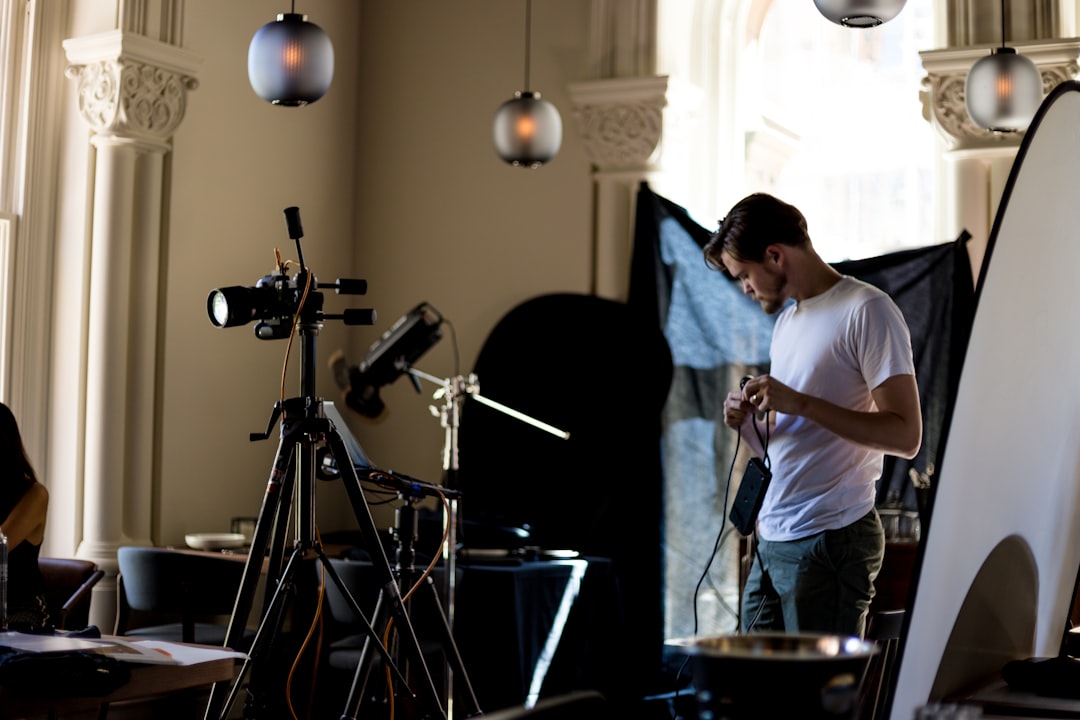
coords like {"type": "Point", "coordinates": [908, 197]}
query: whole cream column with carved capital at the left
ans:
{"type": "Point", "coordinates": [132, 92]}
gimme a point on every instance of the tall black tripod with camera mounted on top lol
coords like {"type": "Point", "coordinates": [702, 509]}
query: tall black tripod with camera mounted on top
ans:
{"type": "Point", "coordinates": [278, 303]}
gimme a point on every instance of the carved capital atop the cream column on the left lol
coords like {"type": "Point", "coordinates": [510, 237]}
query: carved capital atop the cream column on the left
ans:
{"type": "Point", "coordinates": [130, 86]}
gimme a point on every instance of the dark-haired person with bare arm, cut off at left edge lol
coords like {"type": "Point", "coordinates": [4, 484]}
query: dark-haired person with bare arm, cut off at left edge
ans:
{"type": "Point", "coordinates": [24, 505]}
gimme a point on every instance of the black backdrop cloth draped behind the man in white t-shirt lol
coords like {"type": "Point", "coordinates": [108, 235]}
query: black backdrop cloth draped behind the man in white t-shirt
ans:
{"type": "Point", "coordinates": [717, 335]}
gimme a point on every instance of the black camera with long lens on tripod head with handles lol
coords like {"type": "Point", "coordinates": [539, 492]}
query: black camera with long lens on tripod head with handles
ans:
{"type": "Point", "coordinates": [277, 300]}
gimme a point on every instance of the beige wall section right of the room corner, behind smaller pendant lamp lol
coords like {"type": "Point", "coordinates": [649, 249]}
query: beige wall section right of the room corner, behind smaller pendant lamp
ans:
{"type": "Point", "coordinates": [439, 216]}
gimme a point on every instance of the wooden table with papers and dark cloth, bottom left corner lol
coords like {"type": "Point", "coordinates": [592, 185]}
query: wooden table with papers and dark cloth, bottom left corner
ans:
{"type": "Point", "coordinates": [147, 683]}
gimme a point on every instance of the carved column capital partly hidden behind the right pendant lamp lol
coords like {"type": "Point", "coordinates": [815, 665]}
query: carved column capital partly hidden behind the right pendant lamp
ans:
{"type": "Point", "coordinates": [943, 99]}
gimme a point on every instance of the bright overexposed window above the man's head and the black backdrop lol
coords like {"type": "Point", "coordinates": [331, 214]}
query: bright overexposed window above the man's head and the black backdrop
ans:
{"type": "Point", "coordinates": [836, 128]}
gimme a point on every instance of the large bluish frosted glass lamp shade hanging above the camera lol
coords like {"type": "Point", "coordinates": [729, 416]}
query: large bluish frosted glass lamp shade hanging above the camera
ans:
{"type": "Point", "coordinates": [291, 62]}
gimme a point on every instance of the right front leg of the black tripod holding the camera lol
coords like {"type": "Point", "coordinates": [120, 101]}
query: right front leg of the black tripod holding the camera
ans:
{"type": "Point", "coordinates": [387, 581]}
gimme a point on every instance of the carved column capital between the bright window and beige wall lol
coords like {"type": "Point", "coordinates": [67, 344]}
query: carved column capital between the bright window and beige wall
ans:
{"type": "Point", "coordinates": [620, 120]}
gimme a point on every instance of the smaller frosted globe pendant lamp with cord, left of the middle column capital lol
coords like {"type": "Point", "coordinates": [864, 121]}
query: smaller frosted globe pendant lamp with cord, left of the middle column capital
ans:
{"type": "Point", "coordinates": [529, 130]}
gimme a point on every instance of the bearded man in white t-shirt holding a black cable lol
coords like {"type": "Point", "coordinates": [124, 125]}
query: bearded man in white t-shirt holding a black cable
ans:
{"type": "Point", "coordinates": [840, 396]}
